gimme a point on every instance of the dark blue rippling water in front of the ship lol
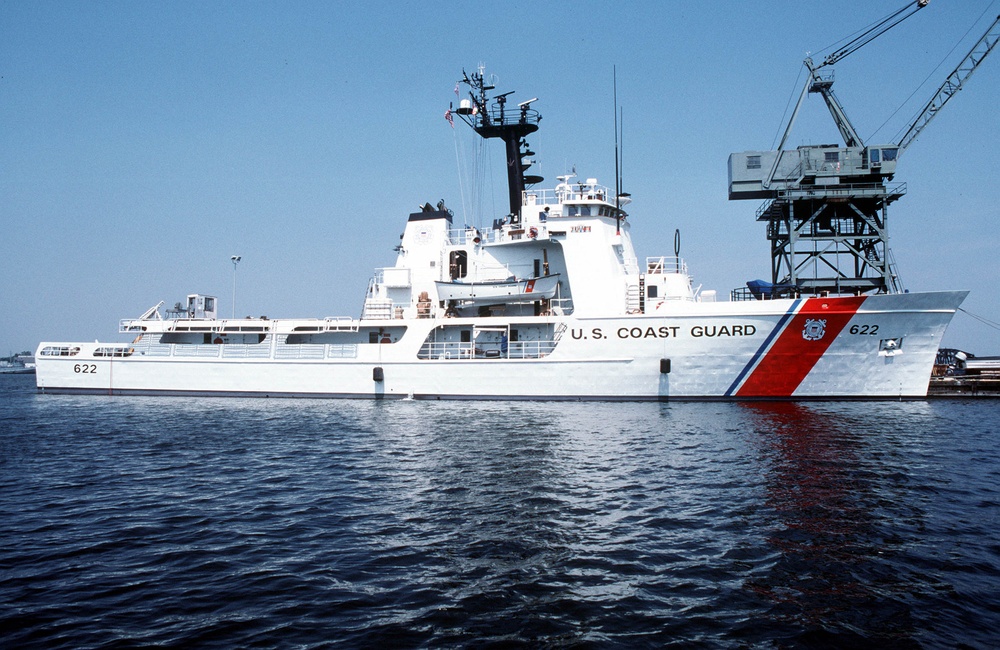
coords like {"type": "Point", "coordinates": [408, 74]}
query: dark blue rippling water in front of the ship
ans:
{"type": "Point", "coordinates": [299, 523]}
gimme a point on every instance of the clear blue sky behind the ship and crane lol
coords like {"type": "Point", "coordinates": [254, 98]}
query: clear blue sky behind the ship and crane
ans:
{"type": "Point", "coordinates": [142, 144]}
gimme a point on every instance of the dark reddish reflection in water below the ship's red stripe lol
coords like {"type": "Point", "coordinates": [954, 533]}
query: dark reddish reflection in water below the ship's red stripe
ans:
{"type": "Point", "coordinates": [831, 494]}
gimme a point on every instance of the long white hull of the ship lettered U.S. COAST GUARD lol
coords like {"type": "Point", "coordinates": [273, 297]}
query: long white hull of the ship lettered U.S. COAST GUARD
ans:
{"type": "Point", "coordinates": [879, 346]}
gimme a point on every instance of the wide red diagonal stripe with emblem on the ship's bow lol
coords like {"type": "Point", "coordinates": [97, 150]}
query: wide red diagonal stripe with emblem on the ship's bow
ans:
{"type": "Point", "coordinates": [792, 356]}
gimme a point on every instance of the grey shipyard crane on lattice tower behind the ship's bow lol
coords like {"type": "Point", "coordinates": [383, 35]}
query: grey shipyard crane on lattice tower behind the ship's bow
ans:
{"type": "Point", "coordinates": [827, 205]}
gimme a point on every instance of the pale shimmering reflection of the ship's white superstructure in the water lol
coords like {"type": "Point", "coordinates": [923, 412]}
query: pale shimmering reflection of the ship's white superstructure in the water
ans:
{"type": "Point", "coordinates": [510, 509]}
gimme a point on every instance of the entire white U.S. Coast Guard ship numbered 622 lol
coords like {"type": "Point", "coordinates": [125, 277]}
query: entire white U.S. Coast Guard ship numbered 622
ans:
{"type": "Point", "coordinates": [548, 303]}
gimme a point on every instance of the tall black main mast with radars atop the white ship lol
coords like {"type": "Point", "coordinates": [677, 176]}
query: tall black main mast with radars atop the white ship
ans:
{"type": "Point", "coordinates": [493, 121]}
